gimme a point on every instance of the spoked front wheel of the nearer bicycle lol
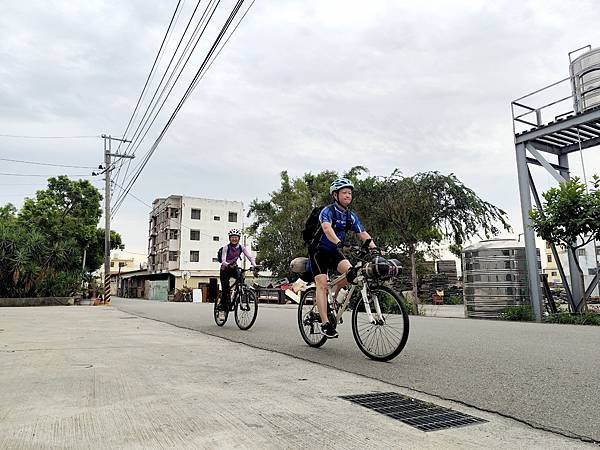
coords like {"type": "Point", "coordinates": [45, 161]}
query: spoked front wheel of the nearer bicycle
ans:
{"type": "Point", "coordinates": [382, 336]}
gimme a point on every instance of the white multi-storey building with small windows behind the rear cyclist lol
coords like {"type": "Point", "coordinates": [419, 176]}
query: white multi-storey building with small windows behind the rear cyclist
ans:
{"type": "Point", "coordinates": [185, 234]}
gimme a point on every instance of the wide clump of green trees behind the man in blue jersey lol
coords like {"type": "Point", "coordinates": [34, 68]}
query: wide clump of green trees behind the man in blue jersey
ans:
{"type": "Point", "coordinates": [403, 214]}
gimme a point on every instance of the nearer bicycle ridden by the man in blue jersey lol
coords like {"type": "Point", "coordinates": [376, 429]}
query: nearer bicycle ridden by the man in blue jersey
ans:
{"type": "Point", "coordinates": [380, 323]}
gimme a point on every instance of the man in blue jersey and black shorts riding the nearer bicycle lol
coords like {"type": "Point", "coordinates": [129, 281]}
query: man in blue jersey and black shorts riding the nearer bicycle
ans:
{"type": "Point", "coordinates": [325, 251]}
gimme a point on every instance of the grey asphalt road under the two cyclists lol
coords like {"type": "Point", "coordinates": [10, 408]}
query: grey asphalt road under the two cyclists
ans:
{"type": "Point", "coordinates": [542, 374]}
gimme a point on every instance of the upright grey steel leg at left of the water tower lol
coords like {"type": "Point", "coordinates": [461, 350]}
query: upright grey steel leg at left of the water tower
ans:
{"type": "Point", "coordinates": [530, 248]}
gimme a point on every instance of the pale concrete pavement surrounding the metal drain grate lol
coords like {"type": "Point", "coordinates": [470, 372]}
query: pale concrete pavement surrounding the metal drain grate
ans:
{"type": "Point", "coordinates": [97, 377]}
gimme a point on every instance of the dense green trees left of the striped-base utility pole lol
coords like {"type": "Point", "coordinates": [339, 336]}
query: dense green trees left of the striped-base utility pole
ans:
{"type": "Point", "coordinates": [41, 247]}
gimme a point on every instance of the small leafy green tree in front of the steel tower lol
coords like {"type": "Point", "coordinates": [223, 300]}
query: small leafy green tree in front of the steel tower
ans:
{"type": "Point", "coordinates": [570, 217]}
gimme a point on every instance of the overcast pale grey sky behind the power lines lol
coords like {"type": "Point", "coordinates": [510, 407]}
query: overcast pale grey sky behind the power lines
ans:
{"type": "Point", "coordinates": [302, 86]}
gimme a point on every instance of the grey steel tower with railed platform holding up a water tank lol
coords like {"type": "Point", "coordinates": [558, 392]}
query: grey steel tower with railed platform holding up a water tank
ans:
{"type": "Point", "coordinates": [549, 145]}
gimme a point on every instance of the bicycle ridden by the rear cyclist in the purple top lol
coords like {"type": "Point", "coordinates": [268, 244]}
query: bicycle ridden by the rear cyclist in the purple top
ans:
{"type": "Point", "coordinates": [242, 302]}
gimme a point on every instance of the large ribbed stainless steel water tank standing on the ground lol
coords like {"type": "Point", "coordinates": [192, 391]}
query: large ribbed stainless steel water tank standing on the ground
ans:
{"type": "Point", "coordinates": [495, 277]}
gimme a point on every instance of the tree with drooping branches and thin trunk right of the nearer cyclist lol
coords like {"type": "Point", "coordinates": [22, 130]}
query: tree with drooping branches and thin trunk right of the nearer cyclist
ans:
{"type": "Point", "coordinates": [422, 211]}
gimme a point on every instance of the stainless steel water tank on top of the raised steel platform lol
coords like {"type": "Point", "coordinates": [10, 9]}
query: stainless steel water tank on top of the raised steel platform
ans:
{"type": "Point", "coordinates": [585, 80]}
